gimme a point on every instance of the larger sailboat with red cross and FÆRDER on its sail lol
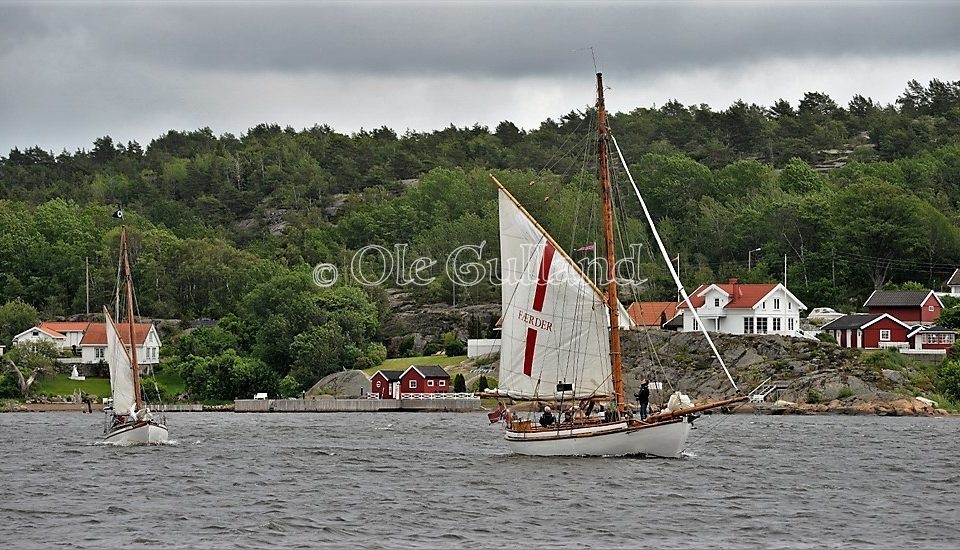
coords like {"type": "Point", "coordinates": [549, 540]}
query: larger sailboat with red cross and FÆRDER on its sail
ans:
{"type": "Point", "coordinates": [560, 341]}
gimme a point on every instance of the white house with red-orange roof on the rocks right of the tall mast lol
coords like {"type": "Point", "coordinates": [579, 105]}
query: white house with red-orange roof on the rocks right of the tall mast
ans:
{"type": "Point", "coordinates": [736, 308]}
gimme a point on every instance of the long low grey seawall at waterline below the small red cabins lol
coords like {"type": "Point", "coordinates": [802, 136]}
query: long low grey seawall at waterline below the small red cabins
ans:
{"type": "Point", "coordinates": [356, 405]}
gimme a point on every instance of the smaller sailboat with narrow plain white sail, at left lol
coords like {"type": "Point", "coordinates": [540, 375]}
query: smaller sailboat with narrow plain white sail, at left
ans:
{"type": "Point", "coordinates": [129, 421]}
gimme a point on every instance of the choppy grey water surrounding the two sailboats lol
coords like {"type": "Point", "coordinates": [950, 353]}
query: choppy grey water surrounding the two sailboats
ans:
{"type": "Point", "coordinates": [445, 481]}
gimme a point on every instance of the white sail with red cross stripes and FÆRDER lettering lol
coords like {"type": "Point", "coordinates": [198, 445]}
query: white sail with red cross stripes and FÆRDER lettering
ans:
{"type": "Point", "coordinates": [555, 324]}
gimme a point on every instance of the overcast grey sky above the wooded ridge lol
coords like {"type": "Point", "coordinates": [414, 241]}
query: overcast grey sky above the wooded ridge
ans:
{"type": "Point", "coordinates": [70, 73]}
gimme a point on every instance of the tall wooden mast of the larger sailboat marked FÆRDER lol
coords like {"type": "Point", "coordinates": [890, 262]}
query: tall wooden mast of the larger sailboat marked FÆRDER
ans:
{"type": "Point", "coordinates": [613, 303]}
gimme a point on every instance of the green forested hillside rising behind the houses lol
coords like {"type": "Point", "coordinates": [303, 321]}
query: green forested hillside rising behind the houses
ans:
{"type": "Point", "coordinates": [219, 221]}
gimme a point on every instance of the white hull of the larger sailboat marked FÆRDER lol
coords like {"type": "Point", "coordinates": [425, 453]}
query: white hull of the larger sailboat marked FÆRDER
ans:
{"type": "Point", "coordinates": [666, 439]}
